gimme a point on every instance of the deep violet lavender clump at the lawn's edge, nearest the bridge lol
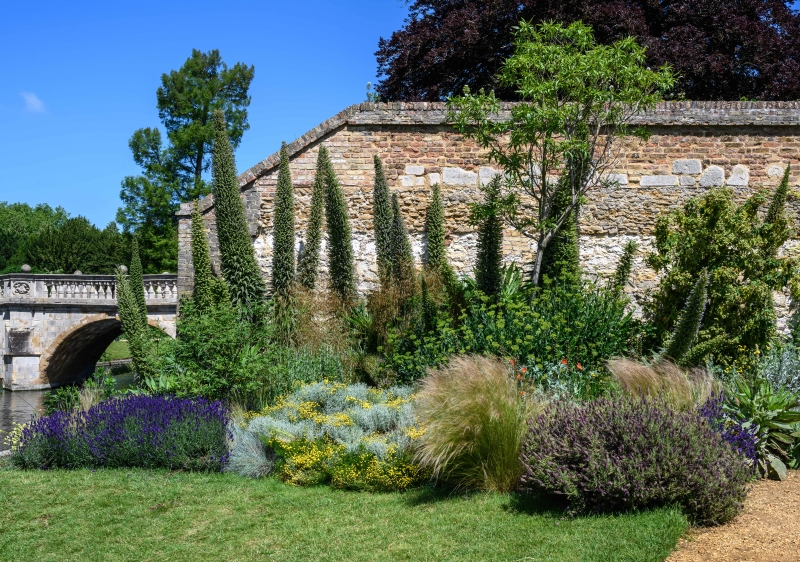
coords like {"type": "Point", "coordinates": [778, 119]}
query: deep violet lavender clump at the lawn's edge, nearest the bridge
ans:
{"type": "Point", "coordinates": [134, 431]}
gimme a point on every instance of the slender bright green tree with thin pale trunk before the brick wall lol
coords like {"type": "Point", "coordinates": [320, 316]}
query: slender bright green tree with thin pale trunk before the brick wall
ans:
{"type": "Point", "coordinates": [578, 97]}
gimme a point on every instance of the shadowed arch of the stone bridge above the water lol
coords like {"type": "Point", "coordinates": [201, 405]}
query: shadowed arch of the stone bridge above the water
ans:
{"type": "Point", "coordinates": [74, 353]}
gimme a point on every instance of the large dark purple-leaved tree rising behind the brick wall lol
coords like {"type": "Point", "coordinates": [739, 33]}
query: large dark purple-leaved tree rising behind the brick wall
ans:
{"type": "Point", "coordinates": [720, 49]}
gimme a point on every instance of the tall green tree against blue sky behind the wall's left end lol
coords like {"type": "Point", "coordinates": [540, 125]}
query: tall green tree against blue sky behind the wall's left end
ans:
{"type": "Point", "coordinates": [172, 172]}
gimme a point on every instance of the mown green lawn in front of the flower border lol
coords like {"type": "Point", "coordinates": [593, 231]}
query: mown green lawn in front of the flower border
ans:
{"type": "Point", "coordinates": [153, 515]}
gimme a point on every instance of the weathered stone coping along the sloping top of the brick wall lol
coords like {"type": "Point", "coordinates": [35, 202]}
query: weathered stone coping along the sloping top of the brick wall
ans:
{"type": "Point", "coordinates": [686, 113]}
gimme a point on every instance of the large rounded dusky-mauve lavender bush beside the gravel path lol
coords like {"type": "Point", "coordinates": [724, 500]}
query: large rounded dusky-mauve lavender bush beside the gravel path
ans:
{"type": "Point", "coordinates": [624, 453]}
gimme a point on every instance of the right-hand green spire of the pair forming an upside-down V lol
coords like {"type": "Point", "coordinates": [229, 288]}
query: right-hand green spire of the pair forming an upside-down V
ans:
{"type": "Point", "coordinates": [340, 248]}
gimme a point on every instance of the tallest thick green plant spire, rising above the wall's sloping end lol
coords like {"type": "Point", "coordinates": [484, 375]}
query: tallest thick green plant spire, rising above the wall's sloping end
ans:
{"type": "Point", "coordinates": [239, 267]}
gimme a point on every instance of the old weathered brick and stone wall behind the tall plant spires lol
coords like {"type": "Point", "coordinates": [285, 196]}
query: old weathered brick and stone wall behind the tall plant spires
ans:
{"type": "Point", "coordinates": [693, 146]}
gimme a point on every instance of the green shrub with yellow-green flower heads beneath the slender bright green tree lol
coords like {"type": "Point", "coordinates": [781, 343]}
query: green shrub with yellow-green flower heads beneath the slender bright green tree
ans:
{"type": "Point", "coordinates": [581, 325]}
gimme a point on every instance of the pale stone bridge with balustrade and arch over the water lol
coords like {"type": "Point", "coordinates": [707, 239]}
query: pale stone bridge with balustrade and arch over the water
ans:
{"type": "Point", "coordinates": [56, 327]}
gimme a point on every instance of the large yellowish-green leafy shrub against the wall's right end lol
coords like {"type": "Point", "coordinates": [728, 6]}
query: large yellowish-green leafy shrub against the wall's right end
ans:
{"type": "Point", "coordinates": [739, 251]}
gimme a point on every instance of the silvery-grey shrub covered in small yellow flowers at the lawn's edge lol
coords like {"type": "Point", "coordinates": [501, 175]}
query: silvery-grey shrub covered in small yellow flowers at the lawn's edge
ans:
{"type": "Point", "coordinates": [349, 437]}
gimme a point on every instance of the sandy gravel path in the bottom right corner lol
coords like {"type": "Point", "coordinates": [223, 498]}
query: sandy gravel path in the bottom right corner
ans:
{"type": "Point", "coordinates": [767, 530]}
